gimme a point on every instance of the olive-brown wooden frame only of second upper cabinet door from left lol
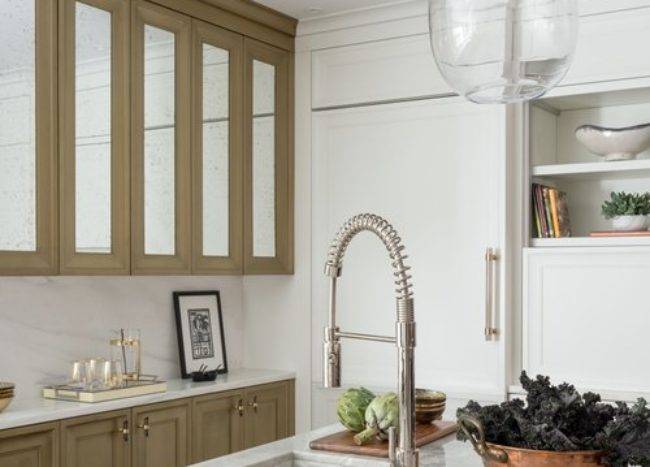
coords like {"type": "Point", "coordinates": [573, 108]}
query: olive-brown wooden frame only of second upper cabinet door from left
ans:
{"type": "Point", "coordinates": [116, 262]}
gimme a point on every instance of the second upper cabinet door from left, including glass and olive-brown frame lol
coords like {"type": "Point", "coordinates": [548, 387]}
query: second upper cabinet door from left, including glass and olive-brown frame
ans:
{"type": "Point", "coordinates": [94, 126]}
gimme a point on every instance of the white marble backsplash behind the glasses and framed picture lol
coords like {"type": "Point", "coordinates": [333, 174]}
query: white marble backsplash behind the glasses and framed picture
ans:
{"type": "Point", "coordinates": [48, 322]}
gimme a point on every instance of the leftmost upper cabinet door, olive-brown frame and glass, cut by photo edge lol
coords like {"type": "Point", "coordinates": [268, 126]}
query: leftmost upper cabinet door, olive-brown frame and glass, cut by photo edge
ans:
{"type": "Point", "coordinates": [28, 175]}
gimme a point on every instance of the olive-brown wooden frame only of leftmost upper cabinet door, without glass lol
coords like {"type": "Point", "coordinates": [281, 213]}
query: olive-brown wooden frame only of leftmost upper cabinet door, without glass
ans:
{"type": "Point", "coordinates": [44, 260]}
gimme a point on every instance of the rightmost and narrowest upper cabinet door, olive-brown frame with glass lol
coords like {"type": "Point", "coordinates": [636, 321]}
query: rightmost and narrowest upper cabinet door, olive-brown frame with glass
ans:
{"type": "Point", "coordinates": [268, 159]}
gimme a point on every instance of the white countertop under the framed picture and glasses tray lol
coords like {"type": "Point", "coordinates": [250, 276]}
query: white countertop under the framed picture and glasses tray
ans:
{"type": "Point", "coordinates": [29, 412]}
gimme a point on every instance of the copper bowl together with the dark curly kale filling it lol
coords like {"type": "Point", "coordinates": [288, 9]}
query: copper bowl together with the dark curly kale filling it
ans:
{"type": "Point", "coordinates": [557, 427]}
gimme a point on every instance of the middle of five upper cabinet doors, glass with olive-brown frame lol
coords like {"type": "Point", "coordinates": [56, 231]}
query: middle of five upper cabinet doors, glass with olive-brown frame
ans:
{"type": "Point", "coordinates": [160, 140]}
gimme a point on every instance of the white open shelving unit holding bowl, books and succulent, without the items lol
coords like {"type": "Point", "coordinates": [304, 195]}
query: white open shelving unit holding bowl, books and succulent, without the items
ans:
{"type": "Point", "coordinates": [559, 160]}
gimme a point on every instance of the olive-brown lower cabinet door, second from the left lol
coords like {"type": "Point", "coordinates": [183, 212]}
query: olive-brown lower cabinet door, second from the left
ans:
{"type": "Point", "coordinates": [101, 440]}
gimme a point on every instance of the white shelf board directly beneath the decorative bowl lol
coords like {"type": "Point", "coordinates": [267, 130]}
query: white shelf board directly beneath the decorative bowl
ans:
{"type": "Point", "coordinates": [594, 170]}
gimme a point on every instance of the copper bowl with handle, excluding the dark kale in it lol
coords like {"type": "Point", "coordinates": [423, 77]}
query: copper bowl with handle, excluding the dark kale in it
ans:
{"type": "Point", "coordinates": [495, 455]}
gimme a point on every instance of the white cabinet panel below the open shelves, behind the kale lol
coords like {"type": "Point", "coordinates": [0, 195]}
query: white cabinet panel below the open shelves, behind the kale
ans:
{"type": "Point", "coordinates": [586, 317]}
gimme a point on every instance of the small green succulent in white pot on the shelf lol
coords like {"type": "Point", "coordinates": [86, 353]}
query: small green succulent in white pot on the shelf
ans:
{"type": "Point", "coordinates": [628, 211]}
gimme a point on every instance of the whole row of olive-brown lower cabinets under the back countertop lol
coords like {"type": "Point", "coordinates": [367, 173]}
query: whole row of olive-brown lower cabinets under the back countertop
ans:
{"type": "Point", "coordinates": [167, 434]}
